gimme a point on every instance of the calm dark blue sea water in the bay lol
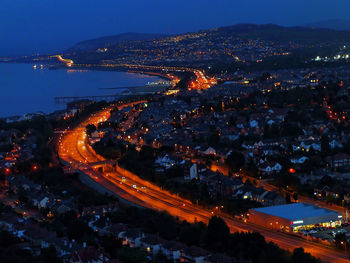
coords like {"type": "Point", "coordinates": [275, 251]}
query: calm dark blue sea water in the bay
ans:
{"type": "Point", "coordinates": [27, 90]}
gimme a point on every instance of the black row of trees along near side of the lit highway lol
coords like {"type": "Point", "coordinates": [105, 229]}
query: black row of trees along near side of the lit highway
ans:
{"type": "Point", "coordinates": [215, 237]}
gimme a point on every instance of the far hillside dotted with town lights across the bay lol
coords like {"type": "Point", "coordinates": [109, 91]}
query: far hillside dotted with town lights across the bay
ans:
{"type": "Point", "coordinates": [242, 43]}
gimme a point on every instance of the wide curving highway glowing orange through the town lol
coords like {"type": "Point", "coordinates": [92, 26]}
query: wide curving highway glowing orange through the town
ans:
{"type": "Point", "coordinates": [73, 148]}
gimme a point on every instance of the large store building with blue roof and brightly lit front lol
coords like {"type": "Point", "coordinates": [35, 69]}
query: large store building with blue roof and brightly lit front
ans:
{"type": "Point", "coordinates": [293, 217]}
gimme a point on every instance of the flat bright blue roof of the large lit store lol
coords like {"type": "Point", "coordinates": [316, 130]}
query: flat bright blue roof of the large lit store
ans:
{"type": "Point", "coordinates": [295, 211]}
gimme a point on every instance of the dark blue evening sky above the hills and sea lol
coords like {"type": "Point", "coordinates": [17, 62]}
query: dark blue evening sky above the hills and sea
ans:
{"type": "Point", "coordinates": [48, 25]}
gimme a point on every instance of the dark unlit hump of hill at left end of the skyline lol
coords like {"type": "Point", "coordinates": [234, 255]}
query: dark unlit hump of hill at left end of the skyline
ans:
{"type": "Point", "coordinates": [112, 40]}
